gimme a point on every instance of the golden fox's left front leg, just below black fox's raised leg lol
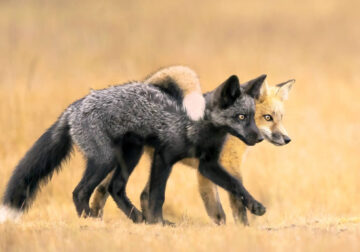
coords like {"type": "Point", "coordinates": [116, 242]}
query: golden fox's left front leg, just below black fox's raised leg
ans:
{"type": "Point", "coordinates": [210, 196]}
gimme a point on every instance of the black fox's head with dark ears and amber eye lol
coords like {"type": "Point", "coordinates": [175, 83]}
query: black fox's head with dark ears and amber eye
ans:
{"type": "Point", "coordinates": [231, 106]}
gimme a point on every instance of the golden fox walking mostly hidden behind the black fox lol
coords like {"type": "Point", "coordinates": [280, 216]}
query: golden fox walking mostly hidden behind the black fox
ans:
{"type": "Point", "coordinates": [268, 117]}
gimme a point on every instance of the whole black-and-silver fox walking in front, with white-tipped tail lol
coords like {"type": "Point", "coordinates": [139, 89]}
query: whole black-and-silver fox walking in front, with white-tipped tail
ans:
{"type": "Point", "coordinates": [111, 126]}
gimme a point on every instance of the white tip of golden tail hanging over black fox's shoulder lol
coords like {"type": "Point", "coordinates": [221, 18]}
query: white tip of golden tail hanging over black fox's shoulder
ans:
{"type": "Point", "coordinates": [194, 104]}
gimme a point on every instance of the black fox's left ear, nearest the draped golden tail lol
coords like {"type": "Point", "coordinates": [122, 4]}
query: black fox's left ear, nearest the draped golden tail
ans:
{"type": "Point", "coordinates": [228, 92]}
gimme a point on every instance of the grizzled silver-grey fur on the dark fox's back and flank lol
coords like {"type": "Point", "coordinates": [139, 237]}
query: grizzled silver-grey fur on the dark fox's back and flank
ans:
{"type": "Point", "coordinates": [141, 109]}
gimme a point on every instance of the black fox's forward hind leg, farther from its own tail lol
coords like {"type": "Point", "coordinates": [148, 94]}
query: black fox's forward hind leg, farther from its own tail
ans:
{"type": "Point", "coordinates": [128, 155]}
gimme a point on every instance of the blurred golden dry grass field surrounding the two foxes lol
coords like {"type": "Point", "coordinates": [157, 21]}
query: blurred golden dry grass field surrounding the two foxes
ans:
{"type": "Point", "coordinates": [53, 52]}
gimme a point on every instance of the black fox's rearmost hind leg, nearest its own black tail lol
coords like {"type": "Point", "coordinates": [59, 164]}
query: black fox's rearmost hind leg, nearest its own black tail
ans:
{"type": "Point", "coordinates": [96, 171]}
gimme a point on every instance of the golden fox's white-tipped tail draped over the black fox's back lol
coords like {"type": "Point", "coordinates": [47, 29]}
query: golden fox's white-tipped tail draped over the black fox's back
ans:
{"type": "Point", "coordinates": [187, 82]}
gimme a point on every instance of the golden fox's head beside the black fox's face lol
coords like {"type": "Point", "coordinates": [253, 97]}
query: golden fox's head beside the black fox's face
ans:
{"type": "Point", "coordinates": [270, 111]}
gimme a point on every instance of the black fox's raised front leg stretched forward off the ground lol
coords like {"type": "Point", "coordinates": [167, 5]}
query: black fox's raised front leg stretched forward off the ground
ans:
{"type": "Point", "coordinates": [210, 168]}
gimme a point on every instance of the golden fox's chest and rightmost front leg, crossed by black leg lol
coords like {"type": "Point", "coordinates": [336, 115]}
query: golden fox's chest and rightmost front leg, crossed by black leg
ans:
{"type": "Point", "coordinates": [231, 157]}
